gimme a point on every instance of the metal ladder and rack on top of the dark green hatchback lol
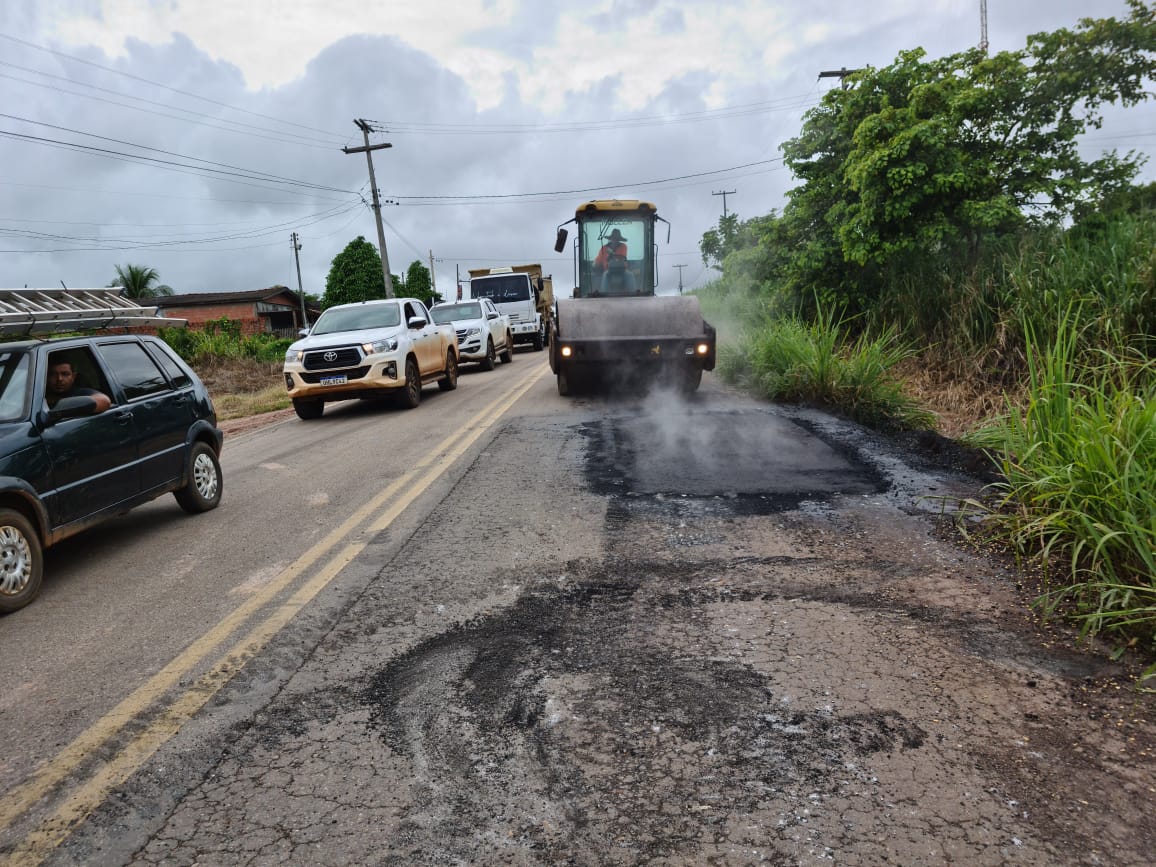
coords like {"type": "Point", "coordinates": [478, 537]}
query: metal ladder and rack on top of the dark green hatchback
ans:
{"type": "Point", "coordinates": [48, 312]}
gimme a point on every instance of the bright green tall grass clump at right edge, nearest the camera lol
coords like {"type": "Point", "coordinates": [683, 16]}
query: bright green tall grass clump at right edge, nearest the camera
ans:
{"type": "Point", "coordinates": [1080, 492]}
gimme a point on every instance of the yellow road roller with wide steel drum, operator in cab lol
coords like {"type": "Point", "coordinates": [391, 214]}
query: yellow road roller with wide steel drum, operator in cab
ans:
{"type": "Point", "coordinates": [616, 330]}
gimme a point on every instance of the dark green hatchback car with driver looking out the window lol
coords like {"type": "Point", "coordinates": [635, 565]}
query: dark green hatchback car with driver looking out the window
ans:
{"type": "Point", "coordinates": [69, 466]}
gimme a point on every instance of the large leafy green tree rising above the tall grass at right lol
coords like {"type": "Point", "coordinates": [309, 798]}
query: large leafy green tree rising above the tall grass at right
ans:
{"type": "Point", "coordinates": [925, 158]}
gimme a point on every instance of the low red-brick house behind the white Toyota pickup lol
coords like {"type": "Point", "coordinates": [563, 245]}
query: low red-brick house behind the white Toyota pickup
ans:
{"type": "Point", "coordinates": [276, 310]}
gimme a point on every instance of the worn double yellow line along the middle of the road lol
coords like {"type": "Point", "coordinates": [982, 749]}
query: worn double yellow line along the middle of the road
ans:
{"type": "Point", "coordinates": [168, 721]}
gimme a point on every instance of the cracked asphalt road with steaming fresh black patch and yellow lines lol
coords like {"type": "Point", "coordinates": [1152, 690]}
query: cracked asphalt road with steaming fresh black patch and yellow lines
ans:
{"type": "Point", "coordinates": [514, 628]}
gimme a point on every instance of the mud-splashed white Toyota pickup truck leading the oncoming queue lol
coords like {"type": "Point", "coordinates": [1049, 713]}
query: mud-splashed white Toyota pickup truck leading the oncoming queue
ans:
{"type": "Point", "coordinates": [370, 350]}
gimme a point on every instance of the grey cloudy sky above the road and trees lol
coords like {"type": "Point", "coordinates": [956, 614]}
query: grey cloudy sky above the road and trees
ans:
{"type": "Point", "coordinates": [195, 137]}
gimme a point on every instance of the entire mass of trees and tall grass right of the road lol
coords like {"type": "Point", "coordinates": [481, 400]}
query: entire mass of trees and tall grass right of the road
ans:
{"type": "Point", "coordinates": [950, 258]}
